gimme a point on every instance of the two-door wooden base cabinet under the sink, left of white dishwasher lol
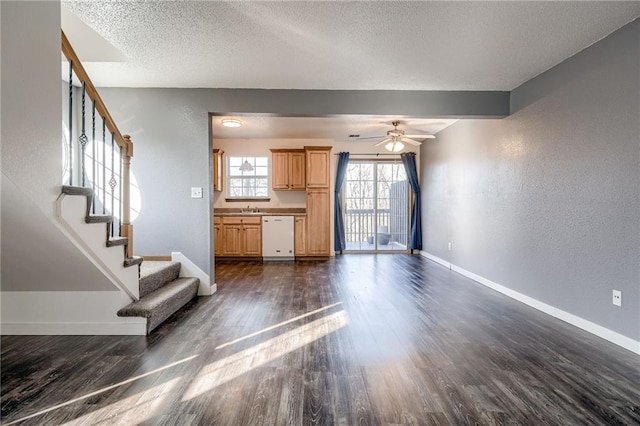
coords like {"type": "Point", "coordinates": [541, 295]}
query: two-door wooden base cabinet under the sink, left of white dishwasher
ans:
{"type": "Point", "coordinates": [241, 236]}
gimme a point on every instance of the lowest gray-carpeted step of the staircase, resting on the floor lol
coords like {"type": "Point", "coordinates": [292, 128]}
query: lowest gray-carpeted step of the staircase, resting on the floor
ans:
{"type": "Point", "coordinates": [160, 304]}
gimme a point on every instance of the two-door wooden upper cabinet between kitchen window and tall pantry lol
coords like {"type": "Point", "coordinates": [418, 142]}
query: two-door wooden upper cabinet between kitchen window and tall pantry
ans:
{"type": "Point", "coordinates": [288, 169]}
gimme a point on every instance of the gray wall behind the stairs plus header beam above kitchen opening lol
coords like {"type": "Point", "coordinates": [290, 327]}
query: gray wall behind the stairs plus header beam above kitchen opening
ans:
{"type": "Point", "coordinates": [170, 133]}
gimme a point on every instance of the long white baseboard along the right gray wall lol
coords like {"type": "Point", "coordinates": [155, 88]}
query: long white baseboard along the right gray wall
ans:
{"type": "Point", "coordinates": [591, 327]}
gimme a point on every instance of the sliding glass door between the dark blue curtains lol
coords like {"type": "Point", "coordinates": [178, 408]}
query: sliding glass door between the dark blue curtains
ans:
{"type": "Point", "coordinates": [376, 210]}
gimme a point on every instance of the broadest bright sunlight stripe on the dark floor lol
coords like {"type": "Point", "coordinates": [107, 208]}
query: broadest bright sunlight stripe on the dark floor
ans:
{"type": "Point", "coordinates": [233, 366]}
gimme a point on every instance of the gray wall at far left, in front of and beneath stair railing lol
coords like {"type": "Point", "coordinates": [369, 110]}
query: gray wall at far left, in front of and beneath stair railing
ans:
{"type": "Point", "coordinates": [36, 256]}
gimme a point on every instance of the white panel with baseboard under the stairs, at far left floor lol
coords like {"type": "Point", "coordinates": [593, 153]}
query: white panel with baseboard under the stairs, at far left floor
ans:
{"type": "Point", "coordinates": [67, 313]}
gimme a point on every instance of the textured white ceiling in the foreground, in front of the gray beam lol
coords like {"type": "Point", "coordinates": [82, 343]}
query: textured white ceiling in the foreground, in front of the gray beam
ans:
{"type": "Point", "coordinates": [342, 45]}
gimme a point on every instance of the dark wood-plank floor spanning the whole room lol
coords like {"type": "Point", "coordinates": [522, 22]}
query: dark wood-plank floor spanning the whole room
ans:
{"type": "Point", "coordinates": [360, 339]}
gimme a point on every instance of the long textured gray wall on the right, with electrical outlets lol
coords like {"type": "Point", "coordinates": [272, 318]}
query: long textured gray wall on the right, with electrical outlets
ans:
{"type": "Point", "coordinates": [547, 201]}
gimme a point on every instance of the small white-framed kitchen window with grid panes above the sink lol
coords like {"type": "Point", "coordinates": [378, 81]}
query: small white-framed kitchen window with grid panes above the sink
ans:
{"type": "Point", "coordinates": [248, 177]}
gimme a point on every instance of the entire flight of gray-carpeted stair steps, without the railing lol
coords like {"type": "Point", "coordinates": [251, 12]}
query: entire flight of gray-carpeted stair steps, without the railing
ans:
{"type": "Point", "coordinates": [161, 291]}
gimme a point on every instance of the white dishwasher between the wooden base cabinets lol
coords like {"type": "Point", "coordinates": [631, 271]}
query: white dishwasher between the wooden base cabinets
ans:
{"type": "Point", "coordinates": [277, 238]}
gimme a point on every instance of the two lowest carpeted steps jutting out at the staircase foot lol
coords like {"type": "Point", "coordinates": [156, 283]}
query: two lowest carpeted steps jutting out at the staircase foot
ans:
{"type": "Point", "coordinates": [162, 292]}
